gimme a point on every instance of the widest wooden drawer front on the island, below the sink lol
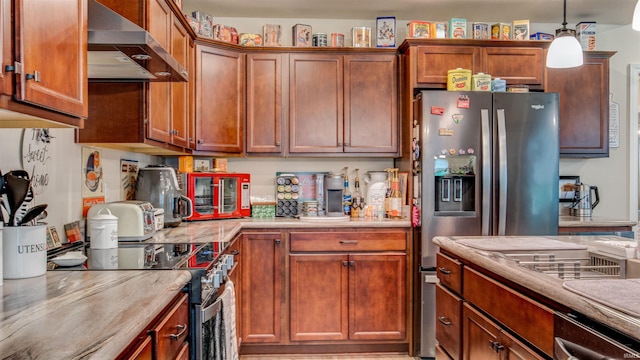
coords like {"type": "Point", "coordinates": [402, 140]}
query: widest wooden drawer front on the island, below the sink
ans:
{"type": "Point", "coordinates": [516, 311]}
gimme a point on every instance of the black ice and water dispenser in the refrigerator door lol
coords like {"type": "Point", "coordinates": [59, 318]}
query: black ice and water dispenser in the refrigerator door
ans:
{"type": "Point", "coordinates": [455, 179]}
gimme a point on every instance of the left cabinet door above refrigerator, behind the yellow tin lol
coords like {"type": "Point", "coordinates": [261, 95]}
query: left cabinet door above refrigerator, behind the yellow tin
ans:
{"type": "Point", "coordinates": [435, 61]}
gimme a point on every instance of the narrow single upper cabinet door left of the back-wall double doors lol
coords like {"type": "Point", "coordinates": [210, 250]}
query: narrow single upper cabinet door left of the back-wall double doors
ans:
{"type": "Point", "coordinates": [264, 103]}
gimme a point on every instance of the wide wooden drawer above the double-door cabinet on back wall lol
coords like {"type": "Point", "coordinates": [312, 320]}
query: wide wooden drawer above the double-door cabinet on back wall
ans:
{"type": "Point", "coordinates": [349, 241]}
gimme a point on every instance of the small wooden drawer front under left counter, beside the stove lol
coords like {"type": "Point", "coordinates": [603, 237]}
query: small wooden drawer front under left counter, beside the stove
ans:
{"type": "Point", "coordinates": [172, 329]}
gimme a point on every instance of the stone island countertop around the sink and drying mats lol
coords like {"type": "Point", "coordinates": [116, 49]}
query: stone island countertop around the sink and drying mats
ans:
{"type": "Point", "coordinates": [548, 286]}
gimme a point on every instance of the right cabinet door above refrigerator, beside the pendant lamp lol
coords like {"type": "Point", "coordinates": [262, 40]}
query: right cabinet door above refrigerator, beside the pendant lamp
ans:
{"type": "Point", "coordinates": [515, 65]}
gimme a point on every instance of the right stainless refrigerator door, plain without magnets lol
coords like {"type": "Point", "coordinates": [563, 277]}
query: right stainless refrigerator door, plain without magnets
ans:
{"type": "Point", "coordinates": [525, 170]}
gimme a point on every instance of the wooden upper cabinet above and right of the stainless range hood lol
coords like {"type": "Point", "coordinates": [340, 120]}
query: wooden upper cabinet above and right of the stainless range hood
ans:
{"type": "Point", "coordinates": [156, 118]}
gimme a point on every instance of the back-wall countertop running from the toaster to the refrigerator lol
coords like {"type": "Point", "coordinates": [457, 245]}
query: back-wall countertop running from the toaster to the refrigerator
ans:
{"type": "Point", "coordinates": [226, 230]}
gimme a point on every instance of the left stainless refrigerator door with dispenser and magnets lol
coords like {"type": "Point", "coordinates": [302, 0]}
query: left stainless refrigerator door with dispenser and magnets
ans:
{"type": "Point", "coordinates": [452, 165]}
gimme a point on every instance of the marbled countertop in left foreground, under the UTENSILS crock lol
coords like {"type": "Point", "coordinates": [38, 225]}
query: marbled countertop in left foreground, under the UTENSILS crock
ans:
{"type": "Point", "coordinates": [82, 314]}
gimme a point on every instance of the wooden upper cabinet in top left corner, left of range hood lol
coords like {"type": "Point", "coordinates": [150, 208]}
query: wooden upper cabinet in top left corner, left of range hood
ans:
{"type": "Point", "coordinates": [32, 86]}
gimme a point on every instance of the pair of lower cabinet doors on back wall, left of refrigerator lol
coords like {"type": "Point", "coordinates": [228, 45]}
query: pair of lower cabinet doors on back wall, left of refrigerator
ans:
{"type": "Point", "coordinates": [347, 297]}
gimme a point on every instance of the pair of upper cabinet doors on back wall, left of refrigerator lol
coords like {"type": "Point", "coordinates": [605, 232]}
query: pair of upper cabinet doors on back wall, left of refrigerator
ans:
{"type": "Point", "coordinates": [343, 104]}
